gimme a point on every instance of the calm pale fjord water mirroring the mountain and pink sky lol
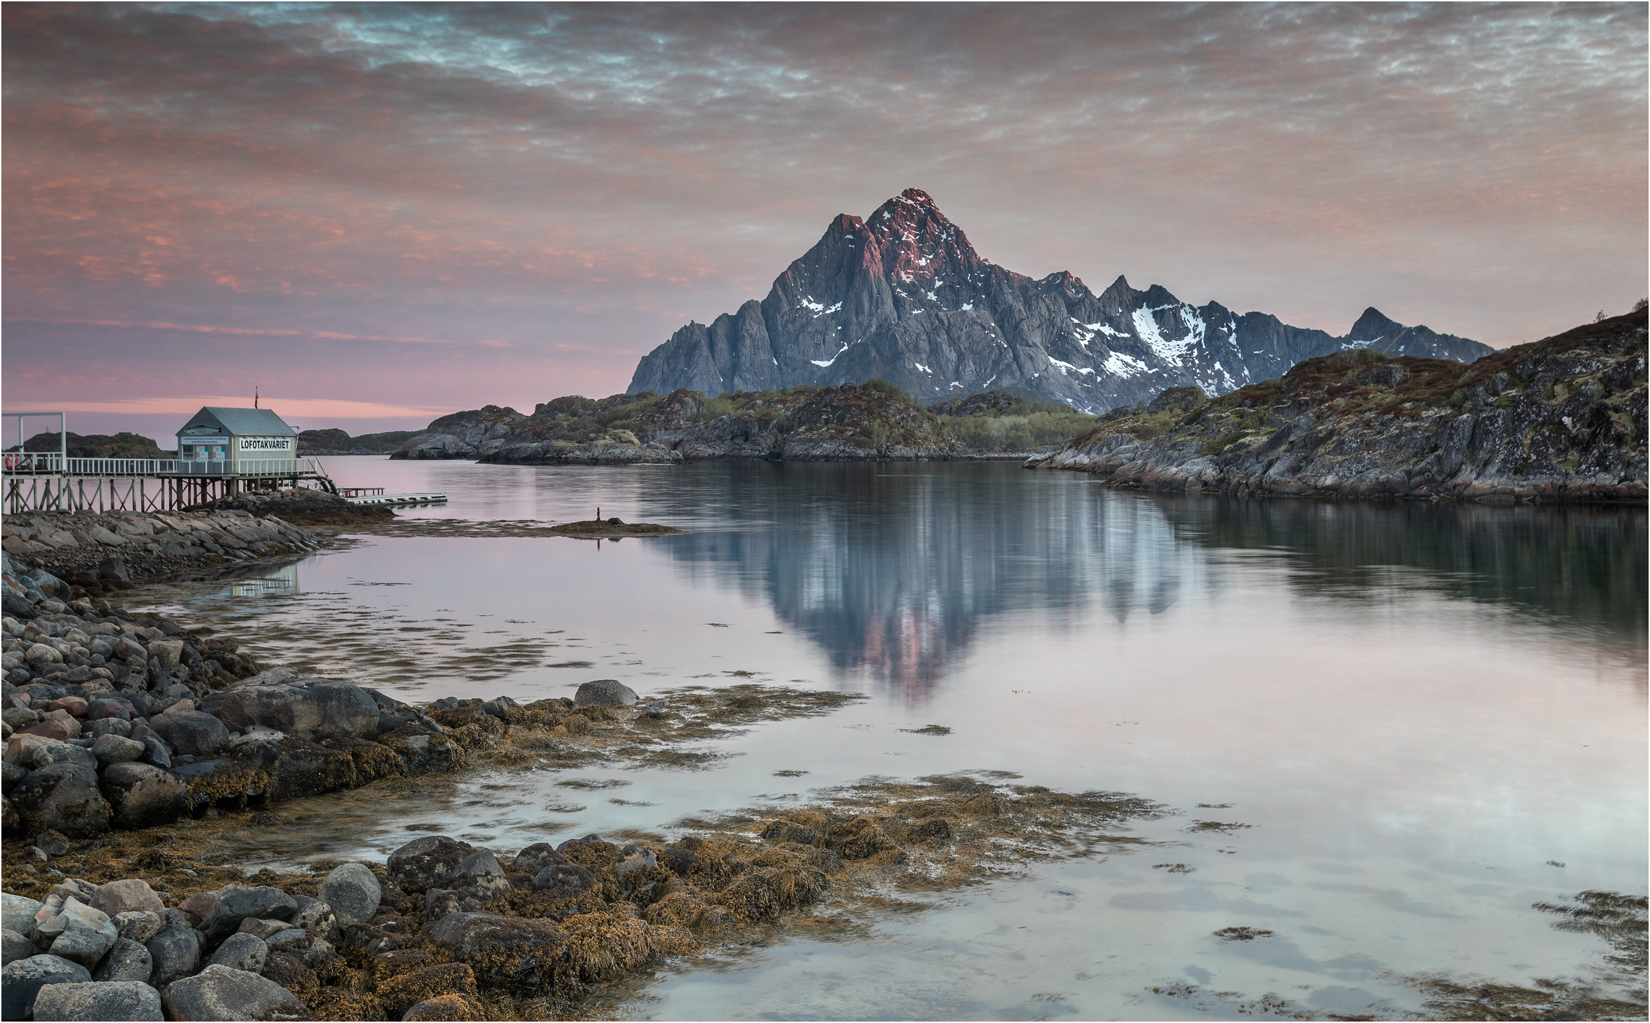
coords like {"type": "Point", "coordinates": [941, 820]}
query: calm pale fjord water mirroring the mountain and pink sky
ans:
{"type": "Point", "coordinates": [1413, 722]}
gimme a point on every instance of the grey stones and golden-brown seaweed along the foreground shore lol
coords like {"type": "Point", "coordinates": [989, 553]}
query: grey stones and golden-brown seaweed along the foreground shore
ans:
{"type": "Point", "coordinates": [149, 768]}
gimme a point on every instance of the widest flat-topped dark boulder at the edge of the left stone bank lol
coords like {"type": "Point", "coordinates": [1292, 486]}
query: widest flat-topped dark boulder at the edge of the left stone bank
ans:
{"type": "Point", "coordinates": [311, 709]}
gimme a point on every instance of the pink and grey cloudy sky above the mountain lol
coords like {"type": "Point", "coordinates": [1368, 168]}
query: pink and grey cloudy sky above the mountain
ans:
{"type": "Point", "coordinates": [377, 214]}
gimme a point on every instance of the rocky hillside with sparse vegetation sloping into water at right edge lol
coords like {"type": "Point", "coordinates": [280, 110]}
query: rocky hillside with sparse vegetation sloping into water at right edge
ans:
{"type": "Point", "coordinates": [1557, 420]}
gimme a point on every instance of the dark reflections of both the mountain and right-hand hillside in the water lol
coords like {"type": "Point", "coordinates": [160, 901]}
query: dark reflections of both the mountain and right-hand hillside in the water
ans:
{"type": "Point", "coordinates": [895, 570]}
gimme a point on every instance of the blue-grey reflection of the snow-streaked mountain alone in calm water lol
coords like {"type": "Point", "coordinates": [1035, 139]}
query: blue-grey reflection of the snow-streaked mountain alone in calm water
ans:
{"type": "Point", "coordinates": [892, 573]}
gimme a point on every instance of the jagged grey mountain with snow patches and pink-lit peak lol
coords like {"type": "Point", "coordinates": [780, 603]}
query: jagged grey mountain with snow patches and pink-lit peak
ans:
{"type": "Point", "coordinates": [905, 298]}
